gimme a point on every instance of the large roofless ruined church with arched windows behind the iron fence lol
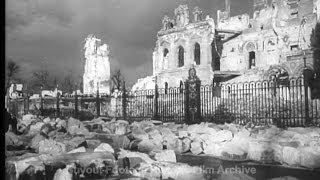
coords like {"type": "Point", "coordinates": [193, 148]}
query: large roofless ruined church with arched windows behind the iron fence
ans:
{"type": "Point", "coordinates": [275, 39]}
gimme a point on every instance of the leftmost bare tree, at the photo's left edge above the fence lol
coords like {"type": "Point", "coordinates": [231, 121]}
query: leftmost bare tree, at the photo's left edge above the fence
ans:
{"type": "Point", "coordinates": [12, 69]}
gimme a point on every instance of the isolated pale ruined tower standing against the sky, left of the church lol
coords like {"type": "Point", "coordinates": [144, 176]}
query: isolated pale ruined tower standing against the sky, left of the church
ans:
{"type": "Point", "coordinates": [97, 67]}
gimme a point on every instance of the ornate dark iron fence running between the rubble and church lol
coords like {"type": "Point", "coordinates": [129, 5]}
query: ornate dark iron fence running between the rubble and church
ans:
{"type": "Point", "coordinates": [261, 102]}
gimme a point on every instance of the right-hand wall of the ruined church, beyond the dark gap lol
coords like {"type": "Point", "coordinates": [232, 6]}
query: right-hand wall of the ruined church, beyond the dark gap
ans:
{"type": "Point", "coordinates": [273, 36]}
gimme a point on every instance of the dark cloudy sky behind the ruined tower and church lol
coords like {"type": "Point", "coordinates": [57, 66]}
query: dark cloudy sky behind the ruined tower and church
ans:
{"type": "Point", "coordinates": [50, 33]}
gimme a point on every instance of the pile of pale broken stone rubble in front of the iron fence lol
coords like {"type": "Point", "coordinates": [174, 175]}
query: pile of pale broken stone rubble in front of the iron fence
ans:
{"type": "Point", "coordinates": [147, 149]}
